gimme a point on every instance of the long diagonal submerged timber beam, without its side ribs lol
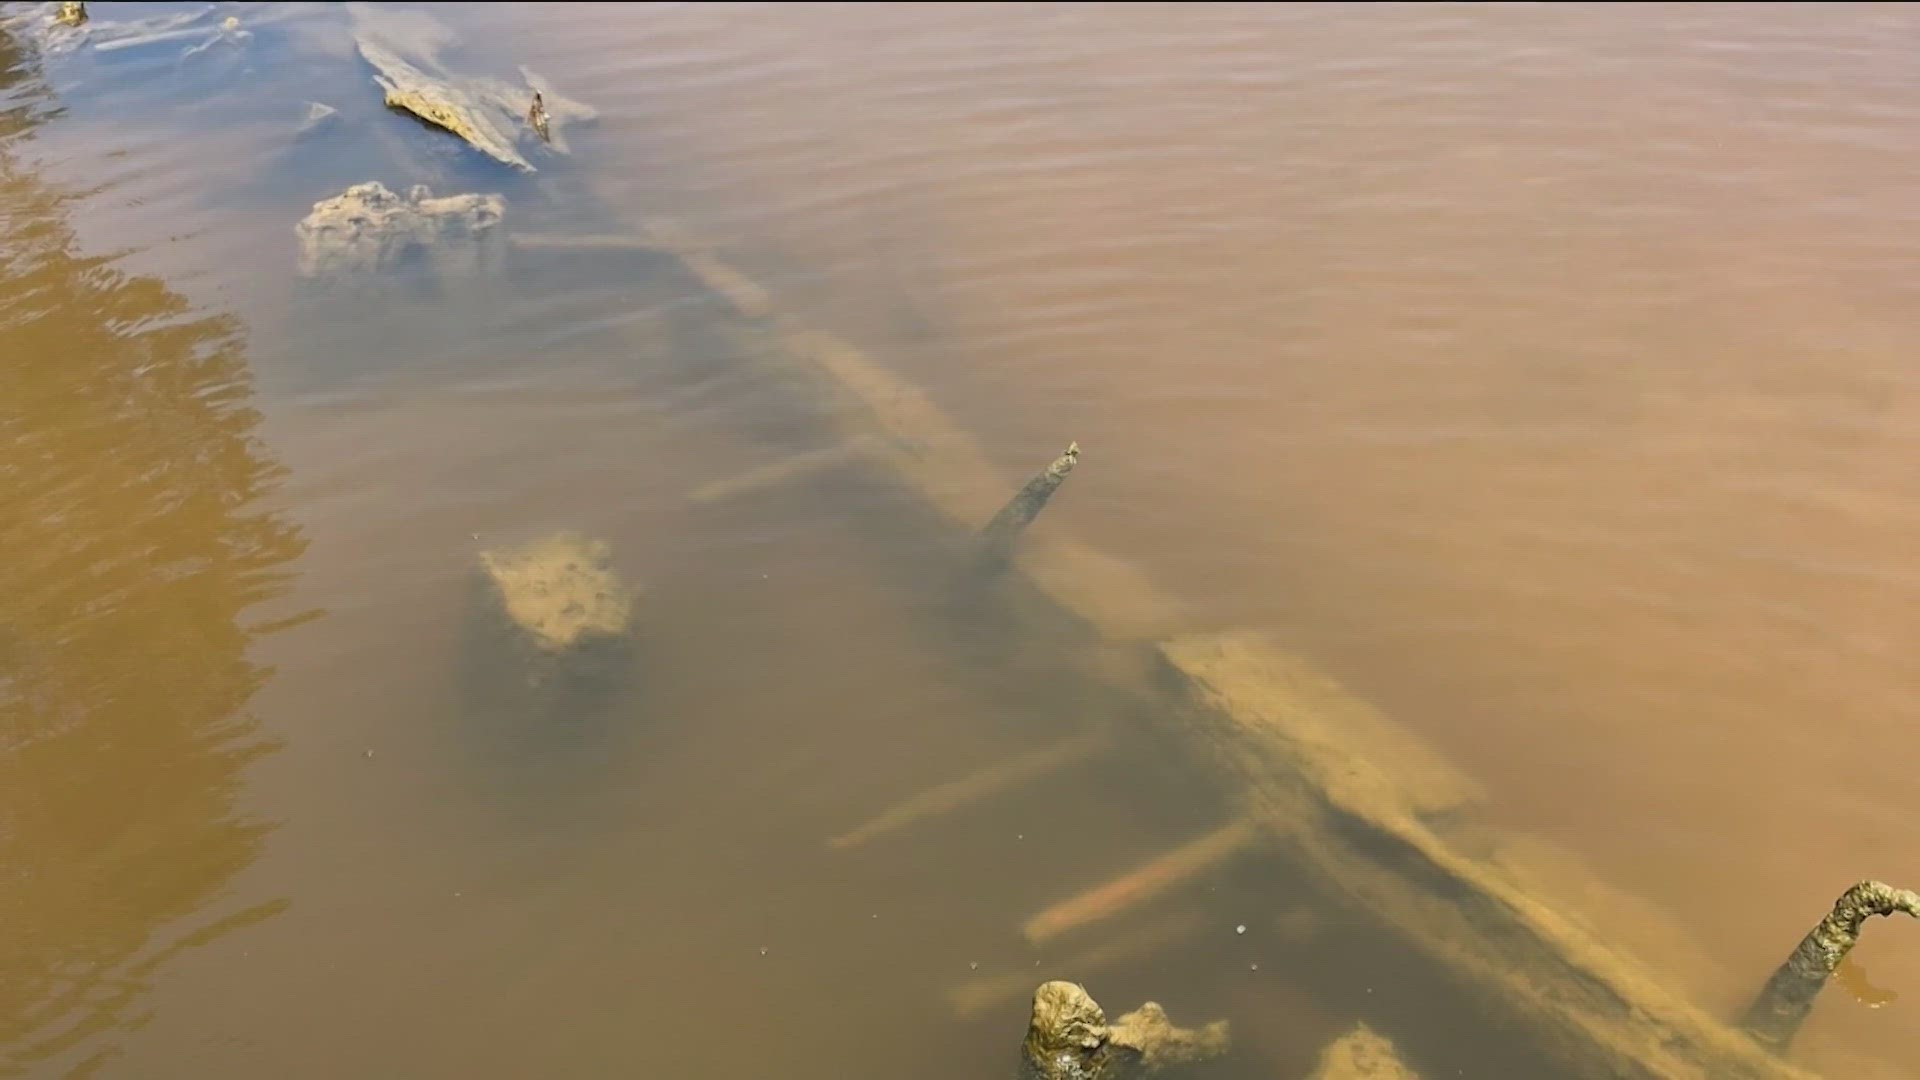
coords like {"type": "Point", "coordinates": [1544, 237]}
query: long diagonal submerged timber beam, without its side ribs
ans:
{"type": "Point", "coordinates": [1343, 795]}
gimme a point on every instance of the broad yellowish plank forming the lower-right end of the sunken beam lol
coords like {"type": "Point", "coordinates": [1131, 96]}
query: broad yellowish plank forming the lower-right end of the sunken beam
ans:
{"type": "Point", "coordinates": [1360, 820]}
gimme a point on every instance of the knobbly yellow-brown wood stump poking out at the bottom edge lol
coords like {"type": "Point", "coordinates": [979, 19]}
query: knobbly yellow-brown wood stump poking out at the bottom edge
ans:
{"type": "Point", "coordinates": [1068, 1039]}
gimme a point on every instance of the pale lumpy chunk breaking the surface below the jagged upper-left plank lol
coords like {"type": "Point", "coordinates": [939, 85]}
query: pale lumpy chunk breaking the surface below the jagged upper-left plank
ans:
{"type": "Point", "coordinates": [368, 228]}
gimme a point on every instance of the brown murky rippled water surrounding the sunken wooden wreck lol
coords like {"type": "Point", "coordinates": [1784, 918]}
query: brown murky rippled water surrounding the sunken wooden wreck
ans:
{"type": "Point", "coordinates": [1547, 374]}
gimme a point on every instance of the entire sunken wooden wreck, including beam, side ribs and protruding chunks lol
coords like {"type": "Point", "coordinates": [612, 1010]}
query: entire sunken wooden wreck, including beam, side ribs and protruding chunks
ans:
{"type": "Point", "coordinates": [1381, 831]}
